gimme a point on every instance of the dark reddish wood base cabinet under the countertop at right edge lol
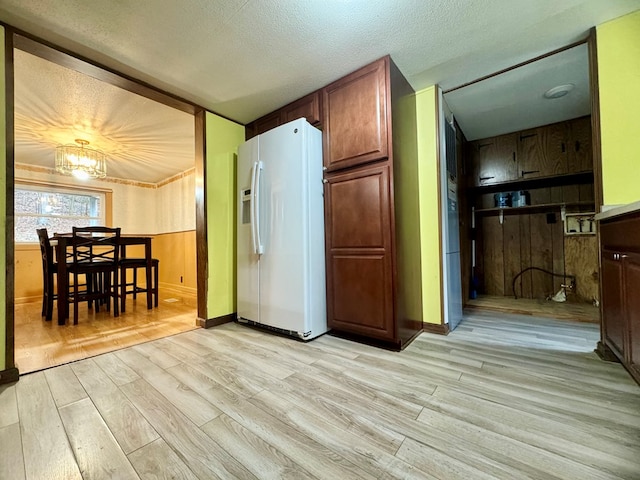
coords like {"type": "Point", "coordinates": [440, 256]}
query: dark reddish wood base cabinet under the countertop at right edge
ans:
{"type": "Point", "coordinates": [620, 266]}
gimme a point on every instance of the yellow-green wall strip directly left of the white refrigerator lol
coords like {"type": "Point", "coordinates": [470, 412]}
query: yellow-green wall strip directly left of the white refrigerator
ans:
{"type": "Point", "coordinates": [222, 140]}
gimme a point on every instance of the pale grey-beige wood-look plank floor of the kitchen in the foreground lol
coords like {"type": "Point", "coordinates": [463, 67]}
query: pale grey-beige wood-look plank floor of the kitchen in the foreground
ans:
{"type": "Point", "coordinates": [507, 398]}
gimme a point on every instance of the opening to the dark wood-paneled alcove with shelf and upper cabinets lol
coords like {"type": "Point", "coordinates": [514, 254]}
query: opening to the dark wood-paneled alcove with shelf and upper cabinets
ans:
{"type": "Point", "coordinates": [529, 192]}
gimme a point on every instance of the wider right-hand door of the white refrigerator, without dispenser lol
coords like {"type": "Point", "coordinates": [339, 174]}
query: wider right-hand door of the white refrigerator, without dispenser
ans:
{"type": "Point", "coordinates": [284, 212]}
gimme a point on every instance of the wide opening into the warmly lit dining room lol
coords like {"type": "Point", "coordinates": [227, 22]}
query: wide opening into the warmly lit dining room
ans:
{"type": "Point", "coordinates": [53, 105]}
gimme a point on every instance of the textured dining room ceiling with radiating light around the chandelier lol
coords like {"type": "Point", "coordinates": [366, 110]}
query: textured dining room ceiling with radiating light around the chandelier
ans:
{"type": "Point", "coordinates": [144, 140]}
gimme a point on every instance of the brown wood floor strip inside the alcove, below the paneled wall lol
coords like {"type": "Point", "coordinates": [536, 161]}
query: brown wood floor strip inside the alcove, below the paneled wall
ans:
{"type": "Point", "coordinates": [570, 310]}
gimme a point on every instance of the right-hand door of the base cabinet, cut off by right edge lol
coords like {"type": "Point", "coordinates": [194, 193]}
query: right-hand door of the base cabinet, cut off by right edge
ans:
{"type": "Point", "coordinates": [632, 307]}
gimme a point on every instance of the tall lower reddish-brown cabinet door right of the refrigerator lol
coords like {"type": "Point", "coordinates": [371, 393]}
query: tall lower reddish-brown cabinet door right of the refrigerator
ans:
{"type": "Point", "coordinates": [359, 228]}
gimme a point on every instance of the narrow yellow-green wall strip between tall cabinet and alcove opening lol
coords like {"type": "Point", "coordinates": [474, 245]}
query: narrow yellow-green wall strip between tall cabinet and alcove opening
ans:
{"type": "Point", "coordinates": [427, 128]}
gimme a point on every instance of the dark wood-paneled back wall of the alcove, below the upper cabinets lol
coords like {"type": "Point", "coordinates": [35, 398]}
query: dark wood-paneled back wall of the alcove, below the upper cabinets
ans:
{"type": "Point", "coordinates": [536, 240]}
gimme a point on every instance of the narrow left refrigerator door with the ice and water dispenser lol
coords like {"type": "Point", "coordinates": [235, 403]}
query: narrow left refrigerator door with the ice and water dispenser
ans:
{"type": "Point", "coordinates": [248, 262]}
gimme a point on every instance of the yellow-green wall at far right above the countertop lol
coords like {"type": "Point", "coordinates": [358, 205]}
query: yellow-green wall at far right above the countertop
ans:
{"type": "Point", "coordinates": [618, 43]}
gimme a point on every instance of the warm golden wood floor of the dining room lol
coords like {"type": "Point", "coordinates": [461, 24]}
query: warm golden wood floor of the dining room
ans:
{"type": "Point", "coordinates": [40, 344]}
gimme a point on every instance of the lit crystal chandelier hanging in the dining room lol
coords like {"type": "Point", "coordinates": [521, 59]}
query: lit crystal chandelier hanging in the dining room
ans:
{"type": "Point", "coordinates": [81, 162]}
